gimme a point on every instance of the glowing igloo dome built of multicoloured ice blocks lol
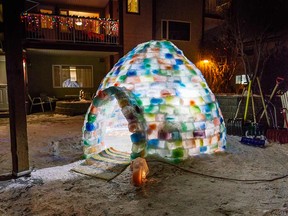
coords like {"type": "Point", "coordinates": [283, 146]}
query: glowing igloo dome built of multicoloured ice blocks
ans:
{"type": "Point", "coordinates": [164, 101]}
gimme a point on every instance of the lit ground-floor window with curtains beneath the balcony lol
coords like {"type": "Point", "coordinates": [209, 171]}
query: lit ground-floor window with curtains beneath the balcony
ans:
{"type": "Point", "coordinates": [71, 76]}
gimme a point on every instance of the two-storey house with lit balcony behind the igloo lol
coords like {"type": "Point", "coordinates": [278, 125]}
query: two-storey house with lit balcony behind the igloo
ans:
{"type": "Point", "coordinates": [81, 40]}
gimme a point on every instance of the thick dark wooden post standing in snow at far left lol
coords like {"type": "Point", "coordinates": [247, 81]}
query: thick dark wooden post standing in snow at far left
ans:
{"type": "Point", "coordinates": [12, 10]}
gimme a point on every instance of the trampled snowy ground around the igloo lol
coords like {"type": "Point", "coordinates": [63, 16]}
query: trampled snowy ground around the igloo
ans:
{"type": "Point", "coordinates": [244, 180]}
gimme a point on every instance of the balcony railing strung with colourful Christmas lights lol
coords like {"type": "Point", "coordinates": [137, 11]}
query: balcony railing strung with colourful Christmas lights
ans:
{"type": "Point", "coordinates": [44, 27]}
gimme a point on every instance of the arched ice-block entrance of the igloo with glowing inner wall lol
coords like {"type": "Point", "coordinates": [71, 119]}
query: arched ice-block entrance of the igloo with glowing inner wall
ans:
{"type": "Point", "coordinates": [107, 110]}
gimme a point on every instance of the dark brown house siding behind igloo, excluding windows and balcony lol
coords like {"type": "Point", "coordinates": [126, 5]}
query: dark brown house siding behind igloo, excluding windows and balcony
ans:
{"type": "Point", "coordinates": [137, 28]}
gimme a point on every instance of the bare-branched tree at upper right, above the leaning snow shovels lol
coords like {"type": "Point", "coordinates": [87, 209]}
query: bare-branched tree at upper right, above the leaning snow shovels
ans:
{"type": "Point", "coordinates": [256, 27]}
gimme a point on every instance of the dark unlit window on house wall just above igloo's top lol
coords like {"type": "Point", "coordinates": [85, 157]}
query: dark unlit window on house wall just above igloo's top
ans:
{"type": "Point", "coordinates": [175, 30]}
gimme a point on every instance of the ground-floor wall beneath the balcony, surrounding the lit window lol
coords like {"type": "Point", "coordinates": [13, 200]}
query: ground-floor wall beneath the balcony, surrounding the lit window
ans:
{"type": "Point", "coordinates": [40, 72]}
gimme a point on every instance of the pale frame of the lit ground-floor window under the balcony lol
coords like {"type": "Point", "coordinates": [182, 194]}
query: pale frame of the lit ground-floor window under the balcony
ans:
{"type": "Point", "coordinates": [61, 81]}
